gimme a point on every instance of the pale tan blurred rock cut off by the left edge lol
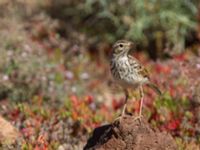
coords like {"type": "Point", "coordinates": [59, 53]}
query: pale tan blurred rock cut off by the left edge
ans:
{"type": "Point", "coordinates": [8, 133]}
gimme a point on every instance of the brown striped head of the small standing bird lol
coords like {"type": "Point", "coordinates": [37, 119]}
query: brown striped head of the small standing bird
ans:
{"type": "Point", "coordinates": [122, 47]}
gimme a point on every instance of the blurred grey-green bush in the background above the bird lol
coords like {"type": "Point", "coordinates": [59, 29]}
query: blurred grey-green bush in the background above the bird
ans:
{"type": "Point", "coordinates": [165, 22]}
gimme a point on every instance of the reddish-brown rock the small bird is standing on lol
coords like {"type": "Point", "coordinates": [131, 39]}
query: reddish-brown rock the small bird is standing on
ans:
{"type": "Point", "coordinates": [130, 134]}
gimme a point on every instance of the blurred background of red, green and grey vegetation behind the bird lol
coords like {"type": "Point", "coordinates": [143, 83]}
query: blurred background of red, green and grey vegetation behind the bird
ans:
{"type": "Point", "coordinates": [55, 84]}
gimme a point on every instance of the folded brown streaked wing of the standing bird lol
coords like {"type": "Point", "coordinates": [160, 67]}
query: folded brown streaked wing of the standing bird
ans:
{"type": "Point", "coordinates": [141, 70]}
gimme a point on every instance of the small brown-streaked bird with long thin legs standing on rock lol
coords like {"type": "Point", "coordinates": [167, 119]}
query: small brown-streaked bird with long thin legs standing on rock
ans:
{"type": "Point", "coordinates": [129, 73]}
